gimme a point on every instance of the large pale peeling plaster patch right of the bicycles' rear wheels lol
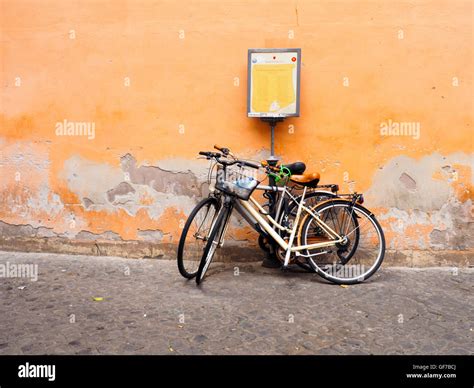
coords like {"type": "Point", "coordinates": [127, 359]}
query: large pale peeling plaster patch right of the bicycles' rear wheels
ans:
{"type": "Point", "coordinates": [423, 204]}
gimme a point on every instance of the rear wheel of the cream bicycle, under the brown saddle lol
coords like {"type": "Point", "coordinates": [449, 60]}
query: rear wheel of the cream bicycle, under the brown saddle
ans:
{"type": "Point", "coordinates": [362, 250]}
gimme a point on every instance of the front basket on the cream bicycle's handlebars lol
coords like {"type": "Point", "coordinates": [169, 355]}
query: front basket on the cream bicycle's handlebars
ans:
{"type": "Point", "coordinates": [238, 182]}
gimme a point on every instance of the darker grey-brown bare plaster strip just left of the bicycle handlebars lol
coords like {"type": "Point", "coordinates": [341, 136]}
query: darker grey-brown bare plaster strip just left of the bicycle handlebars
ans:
{"type": "Point", "coordinates": [178, 183]}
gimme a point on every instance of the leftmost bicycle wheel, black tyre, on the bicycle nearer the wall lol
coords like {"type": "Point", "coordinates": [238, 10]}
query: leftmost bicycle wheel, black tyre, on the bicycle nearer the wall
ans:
{"type": "Point", "coordinates": [195, 235]}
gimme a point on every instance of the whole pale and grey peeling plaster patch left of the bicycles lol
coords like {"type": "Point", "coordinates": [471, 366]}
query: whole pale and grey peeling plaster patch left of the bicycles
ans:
{"type": "Point", "coordinates": [102, 187]}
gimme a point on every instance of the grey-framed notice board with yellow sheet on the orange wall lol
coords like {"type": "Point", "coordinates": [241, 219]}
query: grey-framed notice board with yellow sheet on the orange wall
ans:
{"type": "Point", "coordinates": [273, 83]}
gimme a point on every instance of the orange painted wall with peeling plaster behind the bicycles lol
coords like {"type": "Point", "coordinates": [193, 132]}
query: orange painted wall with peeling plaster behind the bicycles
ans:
{"type": "Point", "coordinates": [163, 80]}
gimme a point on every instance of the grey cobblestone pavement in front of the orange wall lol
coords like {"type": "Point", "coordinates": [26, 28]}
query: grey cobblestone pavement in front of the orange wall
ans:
{"type": "Point", "coordinates": [260, 311]}
